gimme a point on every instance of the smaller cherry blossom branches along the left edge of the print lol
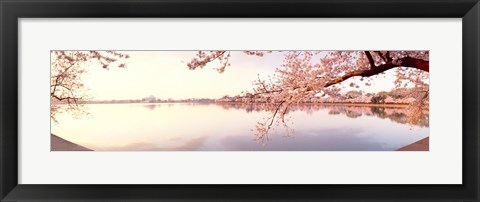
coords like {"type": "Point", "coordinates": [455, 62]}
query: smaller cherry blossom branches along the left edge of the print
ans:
{"type": "Point", "coordinates": [67, 91]}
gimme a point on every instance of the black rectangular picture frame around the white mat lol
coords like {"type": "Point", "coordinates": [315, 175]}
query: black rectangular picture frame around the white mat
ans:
{"type": "Point", "coordinates": [11, 11]}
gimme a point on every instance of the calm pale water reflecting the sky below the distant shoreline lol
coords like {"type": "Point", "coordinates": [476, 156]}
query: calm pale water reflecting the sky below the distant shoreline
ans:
{"type": "Point", "coordinates": [214, 127]}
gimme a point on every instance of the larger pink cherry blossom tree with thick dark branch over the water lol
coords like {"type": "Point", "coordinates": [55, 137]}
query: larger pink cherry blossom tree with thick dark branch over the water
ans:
{"type": "Point", "coordinates": [305, 74]}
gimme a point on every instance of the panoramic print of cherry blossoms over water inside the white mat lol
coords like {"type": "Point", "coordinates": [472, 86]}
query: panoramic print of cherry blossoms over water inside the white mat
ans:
{"type": "Point", "coordinates": [239, 100]}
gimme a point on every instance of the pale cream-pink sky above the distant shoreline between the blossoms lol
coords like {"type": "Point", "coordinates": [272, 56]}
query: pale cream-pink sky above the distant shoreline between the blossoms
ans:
{"type": "Point", "coordinates": [164, 74]}
